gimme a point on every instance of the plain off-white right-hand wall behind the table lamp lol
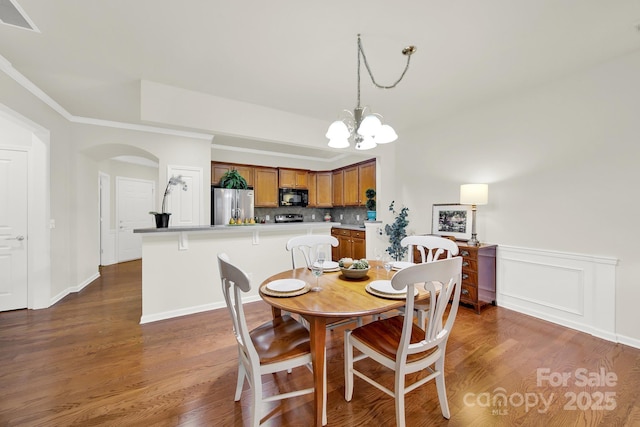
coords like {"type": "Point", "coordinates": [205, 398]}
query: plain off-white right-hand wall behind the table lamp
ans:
{"type": "Point", "coordinates": [560, 161]}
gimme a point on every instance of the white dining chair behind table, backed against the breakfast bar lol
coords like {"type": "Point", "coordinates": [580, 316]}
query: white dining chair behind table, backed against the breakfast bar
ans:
{"type": "Point", "coordinates": [308, 246]}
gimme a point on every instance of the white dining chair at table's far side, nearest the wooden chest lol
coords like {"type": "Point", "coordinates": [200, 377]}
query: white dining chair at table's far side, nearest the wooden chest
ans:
{"type": "Point", "coordinates": [430, 248]}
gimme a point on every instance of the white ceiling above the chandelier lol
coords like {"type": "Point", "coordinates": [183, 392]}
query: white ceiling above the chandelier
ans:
{"type": "Point", "coordinates": [300, 56]}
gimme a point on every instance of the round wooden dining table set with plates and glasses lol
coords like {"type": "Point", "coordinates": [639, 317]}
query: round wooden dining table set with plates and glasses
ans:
{"type": "Point", "coordinates": [338, 298]}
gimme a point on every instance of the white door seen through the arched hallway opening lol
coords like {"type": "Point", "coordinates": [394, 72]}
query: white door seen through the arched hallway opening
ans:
{"type": "Point", "coordinates": [134, 201]}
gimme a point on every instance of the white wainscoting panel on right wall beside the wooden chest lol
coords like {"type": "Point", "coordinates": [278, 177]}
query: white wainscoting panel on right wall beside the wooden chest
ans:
{"type": "Point", "coordinates": [573, 290]}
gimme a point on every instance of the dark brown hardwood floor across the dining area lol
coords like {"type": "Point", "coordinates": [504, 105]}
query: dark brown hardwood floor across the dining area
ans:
{"type": "Point", "coordinates": [87, 361]}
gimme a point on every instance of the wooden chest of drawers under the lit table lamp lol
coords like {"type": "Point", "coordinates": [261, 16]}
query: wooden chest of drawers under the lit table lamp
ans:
{"type": "Point", "coordinates": [478, 275]}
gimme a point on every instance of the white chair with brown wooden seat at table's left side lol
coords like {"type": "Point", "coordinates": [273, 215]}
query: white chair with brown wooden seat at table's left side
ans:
{"type": "Point", "coordinates": [278, 345]}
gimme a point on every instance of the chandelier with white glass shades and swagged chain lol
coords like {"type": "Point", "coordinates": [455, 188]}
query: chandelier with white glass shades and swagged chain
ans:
{"type": "Point", "coordinates": [364, 128]}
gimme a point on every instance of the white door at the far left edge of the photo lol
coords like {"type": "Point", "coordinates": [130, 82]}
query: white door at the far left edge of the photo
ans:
{"type": "Point", "coordinates": [13, 229]}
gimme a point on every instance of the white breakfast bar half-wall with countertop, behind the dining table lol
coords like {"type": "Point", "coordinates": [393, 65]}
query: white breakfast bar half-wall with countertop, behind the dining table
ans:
{"type": "Point", "coordinates": [180, 269]}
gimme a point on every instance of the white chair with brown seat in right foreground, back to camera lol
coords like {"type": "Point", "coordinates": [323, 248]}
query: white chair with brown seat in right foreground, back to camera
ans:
{"type": "Point", "coordinates": [402, 346]}
